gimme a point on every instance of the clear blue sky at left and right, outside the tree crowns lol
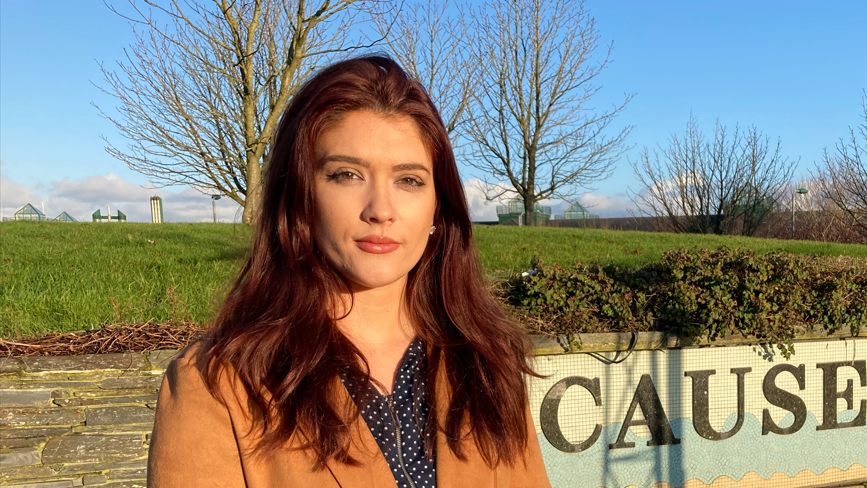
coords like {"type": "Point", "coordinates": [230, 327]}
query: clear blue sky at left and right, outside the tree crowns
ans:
{"type": "Point", "coordinates": [795, 69]}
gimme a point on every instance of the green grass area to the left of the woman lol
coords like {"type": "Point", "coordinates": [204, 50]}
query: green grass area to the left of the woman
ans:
{"type": "Point", "coordinates": [72, 276]}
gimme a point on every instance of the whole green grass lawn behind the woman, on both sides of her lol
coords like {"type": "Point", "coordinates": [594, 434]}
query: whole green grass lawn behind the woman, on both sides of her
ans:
{"type": "Point", "coordinates": [73, 276]}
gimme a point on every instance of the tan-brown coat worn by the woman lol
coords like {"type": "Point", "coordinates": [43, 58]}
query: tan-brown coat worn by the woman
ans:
{"type": "Point", "coordinates": [197, 441]}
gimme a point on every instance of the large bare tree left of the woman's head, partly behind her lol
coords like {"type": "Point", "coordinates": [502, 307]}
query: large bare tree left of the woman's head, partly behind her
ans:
{"type": "Point", "coordinates": [203, 86]}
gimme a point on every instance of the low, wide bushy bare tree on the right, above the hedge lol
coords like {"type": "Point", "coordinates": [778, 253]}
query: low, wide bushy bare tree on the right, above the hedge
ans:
{"type": "Point", "coordinates": [727, 185]}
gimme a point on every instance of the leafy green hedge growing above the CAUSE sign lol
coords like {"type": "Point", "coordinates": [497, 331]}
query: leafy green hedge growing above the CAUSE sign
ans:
{"type": "Point", "coordinates": [695, 293]}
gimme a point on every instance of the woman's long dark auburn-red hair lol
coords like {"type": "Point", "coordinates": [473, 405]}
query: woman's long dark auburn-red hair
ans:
{"type": "Point", "coordinates": [274, 329]}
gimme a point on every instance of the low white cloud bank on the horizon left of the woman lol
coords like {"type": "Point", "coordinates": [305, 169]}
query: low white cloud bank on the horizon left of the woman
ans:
{"type": "Point", "coordinates": [80, 198]}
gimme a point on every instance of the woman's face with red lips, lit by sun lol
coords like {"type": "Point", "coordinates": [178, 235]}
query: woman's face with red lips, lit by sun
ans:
{"type": "Point", "coordinates": [375, 197]}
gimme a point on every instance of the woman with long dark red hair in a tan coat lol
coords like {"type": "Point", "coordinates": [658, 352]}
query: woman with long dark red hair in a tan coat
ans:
{"type": "Point", "coordinates": [361, 308]}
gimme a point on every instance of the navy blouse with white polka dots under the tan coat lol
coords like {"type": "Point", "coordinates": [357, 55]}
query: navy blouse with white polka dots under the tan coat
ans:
{"type": "Point", "coordinates": [402, 447]}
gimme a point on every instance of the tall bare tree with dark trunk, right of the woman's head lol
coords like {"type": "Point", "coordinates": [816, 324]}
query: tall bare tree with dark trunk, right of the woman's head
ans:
{"type": "Point", "coordinates": [529, 123]}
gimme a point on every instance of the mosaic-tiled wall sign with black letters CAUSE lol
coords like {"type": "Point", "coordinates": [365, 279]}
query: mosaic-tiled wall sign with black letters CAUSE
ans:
{"type": "Point", "coordinates": [705, 416]}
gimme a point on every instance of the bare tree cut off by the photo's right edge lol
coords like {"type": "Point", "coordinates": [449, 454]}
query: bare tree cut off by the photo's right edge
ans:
{"type": "Point", "coordinates": [842, 175]}
